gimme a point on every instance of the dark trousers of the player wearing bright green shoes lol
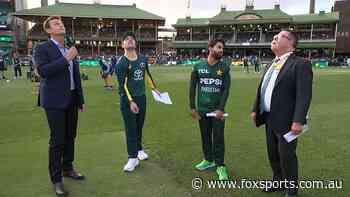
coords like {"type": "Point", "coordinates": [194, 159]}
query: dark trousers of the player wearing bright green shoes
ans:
{"type": "Point", "coordinates": [213, 143]}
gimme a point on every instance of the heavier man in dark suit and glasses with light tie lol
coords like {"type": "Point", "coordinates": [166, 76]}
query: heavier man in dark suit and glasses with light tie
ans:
{"type": "Point", "coordinates": [282, 102]}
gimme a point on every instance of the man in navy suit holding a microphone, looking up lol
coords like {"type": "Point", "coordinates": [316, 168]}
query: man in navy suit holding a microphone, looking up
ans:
{"type": "Point", "coordinates": [61, 96]}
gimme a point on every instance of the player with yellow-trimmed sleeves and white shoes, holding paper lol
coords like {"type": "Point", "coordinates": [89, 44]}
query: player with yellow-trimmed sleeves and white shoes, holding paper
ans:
{"type": "Point", "coordinates": [132, 71]}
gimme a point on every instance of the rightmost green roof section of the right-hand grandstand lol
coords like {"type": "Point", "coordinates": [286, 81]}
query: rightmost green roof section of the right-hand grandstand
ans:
{"type": "Point", "coordinates": [316, 18]}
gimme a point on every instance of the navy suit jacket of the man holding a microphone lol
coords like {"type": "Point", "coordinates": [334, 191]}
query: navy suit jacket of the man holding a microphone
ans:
{"type": "Point", "coordinates": [53, 69]}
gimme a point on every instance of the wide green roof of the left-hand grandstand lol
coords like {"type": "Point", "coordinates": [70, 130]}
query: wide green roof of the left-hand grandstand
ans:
{"type": "Point", "coordinates": [90, 11]}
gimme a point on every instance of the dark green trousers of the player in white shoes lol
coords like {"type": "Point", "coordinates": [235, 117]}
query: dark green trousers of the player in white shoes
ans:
{"type": "Point", "coordinates": [133, 124]}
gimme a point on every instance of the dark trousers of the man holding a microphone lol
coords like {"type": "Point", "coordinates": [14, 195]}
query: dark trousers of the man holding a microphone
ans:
{"type": "Point", "coordinates": [63, 130]}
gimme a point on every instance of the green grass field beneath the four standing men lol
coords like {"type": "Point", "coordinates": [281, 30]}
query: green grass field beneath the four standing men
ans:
{"type": "Point", "coordinates": [172, 140]}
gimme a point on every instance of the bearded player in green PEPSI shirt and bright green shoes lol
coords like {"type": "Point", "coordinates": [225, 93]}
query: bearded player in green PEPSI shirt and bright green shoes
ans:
{"type": "Point", "coordinates": [211, 80]}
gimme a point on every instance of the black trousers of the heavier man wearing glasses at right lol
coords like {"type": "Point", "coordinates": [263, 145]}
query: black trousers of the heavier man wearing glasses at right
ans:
{"type": "Point", "coordinates": [282, 157]}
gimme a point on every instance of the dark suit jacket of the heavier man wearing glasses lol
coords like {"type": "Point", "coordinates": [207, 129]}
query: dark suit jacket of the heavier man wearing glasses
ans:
{"type": "Point", "coordinates": [291, 96]}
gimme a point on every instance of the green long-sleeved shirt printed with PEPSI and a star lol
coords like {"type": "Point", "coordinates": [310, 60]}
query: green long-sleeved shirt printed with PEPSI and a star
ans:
{"type": "Point", "coordinates": [212, 83]}
